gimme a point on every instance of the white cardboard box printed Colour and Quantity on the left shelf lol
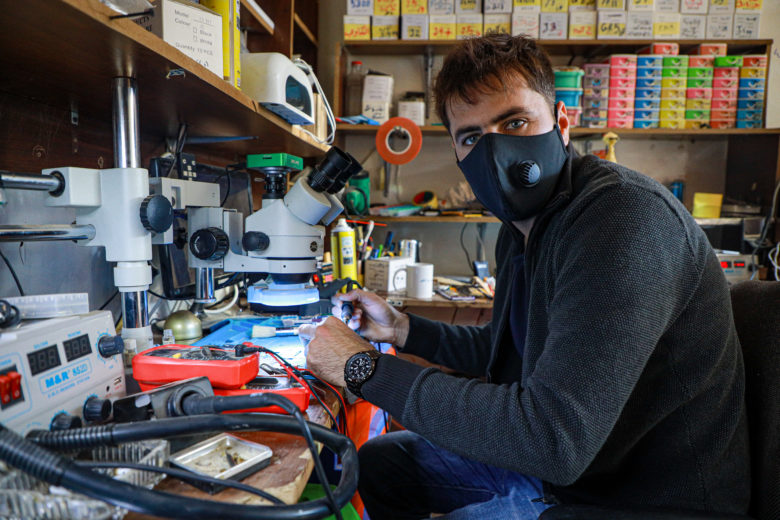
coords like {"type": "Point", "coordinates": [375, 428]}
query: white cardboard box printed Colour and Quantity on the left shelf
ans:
{"type": "Point", "coordinates": [191, 28]}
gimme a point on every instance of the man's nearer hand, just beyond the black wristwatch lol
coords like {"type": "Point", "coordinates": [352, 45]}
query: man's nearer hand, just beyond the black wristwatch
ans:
{"type": "Point", "coordinates": [332, 344]}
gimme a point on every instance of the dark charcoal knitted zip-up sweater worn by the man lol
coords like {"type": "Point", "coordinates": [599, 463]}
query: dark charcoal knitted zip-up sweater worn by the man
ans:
{"type": "Point", "coordinates": [631, 386]}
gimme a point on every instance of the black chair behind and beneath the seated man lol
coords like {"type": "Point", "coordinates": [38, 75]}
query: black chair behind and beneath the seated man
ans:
{"type": "Point", "coordinates": [756, 308]}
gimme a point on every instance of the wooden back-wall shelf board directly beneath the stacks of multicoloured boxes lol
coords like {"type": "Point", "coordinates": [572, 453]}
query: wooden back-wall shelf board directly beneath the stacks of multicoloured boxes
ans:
{"type": "Point", "coordinates": [580, 132]}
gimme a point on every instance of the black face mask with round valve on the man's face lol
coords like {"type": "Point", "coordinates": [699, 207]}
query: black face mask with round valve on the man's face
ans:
{"type": "Point", "coordinates": [515, 176]}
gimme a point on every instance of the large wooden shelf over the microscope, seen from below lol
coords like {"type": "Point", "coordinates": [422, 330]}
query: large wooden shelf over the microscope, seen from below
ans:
{"type": "Point", "coordinates": [65, 53]}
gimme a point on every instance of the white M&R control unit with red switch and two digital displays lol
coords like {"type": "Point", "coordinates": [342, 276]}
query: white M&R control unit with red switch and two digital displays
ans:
{"type": "Point", "coordinates": [60, 372]}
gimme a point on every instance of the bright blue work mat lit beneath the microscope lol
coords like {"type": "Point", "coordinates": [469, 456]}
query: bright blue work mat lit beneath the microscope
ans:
{"type": "Point", "coordinates": [235, 331]}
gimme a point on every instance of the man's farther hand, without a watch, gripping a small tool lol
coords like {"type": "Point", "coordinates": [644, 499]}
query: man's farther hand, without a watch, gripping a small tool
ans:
{"type": "Point", "coordinates": [374, 318]}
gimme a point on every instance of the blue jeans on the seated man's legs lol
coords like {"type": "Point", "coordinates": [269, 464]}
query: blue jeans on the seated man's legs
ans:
{"type": "Point", "coordinates": [404, 476]}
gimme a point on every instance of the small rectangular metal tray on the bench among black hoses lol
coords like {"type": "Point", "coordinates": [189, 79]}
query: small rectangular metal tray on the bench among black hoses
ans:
{"type": "Point", "coordinates": [224, 456]}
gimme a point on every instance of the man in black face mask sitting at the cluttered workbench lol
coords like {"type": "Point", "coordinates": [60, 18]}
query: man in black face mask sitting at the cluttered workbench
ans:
{"type": "Point", "coordinates": [612, 373]}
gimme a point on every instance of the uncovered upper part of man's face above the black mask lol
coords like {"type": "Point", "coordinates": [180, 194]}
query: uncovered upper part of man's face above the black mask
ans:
{"type": "Point", "coordinates": [515, 110]}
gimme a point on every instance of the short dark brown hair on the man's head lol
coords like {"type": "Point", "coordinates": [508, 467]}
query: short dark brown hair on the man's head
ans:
{"type": "Point", "coordinates": [488, 64]}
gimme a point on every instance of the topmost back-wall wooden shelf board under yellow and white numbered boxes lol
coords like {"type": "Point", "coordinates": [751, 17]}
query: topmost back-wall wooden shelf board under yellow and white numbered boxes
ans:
{"type": "Point", "coordinates": [553, 47]}
